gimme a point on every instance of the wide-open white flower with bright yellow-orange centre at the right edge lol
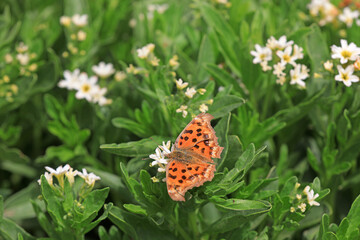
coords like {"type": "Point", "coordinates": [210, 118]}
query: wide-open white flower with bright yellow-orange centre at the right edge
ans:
{"type": "Point", "coordinates": [345, 52]}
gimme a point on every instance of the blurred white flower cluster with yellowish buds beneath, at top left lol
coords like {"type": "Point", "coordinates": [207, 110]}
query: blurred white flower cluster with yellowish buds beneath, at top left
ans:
{"type": "Point", "coordinates": [75, 27]}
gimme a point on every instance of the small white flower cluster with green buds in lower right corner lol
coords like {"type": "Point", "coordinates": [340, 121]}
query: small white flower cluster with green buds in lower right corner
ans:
{"type": "Point", "coordinates": [306, 197]}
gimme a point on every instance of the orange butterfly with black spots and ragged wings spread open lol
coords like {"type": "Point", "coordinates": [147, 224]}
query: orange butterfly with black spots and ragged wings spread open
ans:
{"type": "Point", "coordinates": [190, 162]}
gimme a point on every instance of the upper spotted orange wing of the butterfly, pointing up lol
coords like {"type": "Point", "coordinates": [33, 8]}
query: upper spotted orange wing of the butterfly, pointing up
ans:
{"type": "Point", "coordinates": [199, 137]}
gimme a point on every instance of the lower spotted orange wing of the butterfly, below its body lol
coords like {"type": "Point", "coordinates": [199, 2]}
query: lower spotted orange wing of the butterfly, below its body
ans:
{"type": "Point", "coordinates": [181, 176]}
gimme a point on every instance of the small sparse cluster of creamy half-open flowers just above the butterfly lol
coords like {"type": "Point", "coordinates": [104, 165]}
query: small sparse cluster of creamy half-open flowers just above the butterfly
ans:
{"type": "Point", "coordinates": [188, 94]}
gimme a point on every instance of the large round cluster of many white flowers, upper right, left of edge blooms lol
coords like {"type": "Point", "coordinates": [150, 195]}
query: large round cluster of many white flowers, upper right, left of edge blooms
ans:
{"type": "Point", "coordinates": [282, 55]}
